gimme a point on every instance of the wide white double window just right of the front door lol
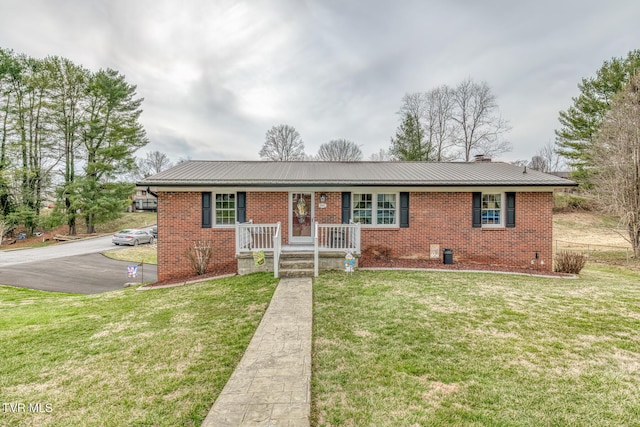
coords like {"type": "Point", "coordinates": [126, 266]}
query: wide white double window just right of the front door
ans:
{"type": "Point", "coordinates": [378, 209]}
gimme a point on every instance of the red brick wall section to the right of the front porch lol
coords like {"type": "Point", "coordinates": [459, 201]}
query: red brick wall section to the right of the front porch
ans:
{"type": "Point", "coordinates": [446, 219]}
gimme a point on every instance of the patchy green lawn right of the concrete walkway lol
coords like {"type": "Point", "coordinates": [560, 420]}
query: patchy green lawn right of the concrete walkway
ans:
{"type": "Point", "coordinates": [429, 348]}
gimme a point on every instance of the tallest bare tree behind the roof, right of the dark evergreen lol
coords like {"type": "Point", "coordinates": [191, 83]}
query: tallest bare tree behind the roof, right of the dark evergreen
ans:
{"type": "Point", "coordinates": [481, 129]}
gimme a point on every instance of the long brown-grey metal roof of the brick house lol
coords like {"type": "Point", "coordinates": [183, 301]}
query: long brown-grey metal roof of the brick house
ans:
{"type": "Point", "coordinates": [264, 173]}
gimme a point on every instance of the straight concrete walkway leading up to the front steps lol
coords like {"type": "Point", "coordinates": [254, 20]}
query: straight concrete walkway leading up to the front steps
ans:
{"type": "Point", "coordinates": [271, 385]}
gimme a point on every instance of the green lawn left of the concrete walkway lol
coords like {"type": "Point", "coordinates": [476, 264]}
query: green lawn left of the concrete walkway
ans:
{"type": "Point", "coordinates": [129, 357]}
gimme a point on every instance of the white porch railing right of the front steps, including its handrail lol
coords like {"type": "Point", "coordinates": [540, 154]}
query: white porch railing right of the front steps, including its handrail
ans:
{"type": "Point", "coordinates": [335, 237]}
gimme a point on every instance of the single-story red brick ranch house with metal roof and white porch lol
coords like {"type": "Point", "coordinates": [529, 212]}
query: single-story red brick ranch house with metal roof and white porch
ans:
{"type": "Point", "coordinates": [387, 213]}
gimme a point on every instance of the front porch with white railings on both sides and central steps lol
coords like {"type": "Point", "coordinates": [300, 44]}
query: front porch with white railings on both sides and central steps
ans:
{"type": "Point", "coordinates": [259, 247]}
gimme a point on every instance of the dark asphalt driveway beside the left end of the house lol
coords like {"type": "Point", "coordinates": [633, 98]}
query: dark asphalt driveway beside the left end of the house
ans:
{"type": "Point", "coordinates": [81, 274]}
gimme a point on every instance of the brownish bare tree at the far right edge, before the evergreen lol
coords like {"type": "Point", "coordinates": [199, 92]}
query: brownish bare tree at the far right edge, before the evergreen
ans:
{"type": "Point", "coordinates": [616, 152]}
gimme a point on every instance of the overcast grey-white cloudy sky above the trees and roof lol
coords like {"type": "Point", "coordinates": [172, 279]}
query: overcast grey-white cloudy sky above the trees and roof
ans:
{"type": "Point", "coordinates": [215, 75]}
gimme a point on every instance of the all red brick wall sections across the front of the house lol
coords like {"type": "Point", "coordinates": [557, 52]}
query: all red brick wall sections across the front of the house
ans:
{"type": "Point", "coordinates": [435, 218]}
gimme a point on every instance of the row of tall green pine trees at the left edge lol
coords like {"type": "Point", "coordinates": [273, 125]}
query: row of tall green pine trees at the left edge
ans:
{"type": "Point", "coordinates": [66, 134]}
